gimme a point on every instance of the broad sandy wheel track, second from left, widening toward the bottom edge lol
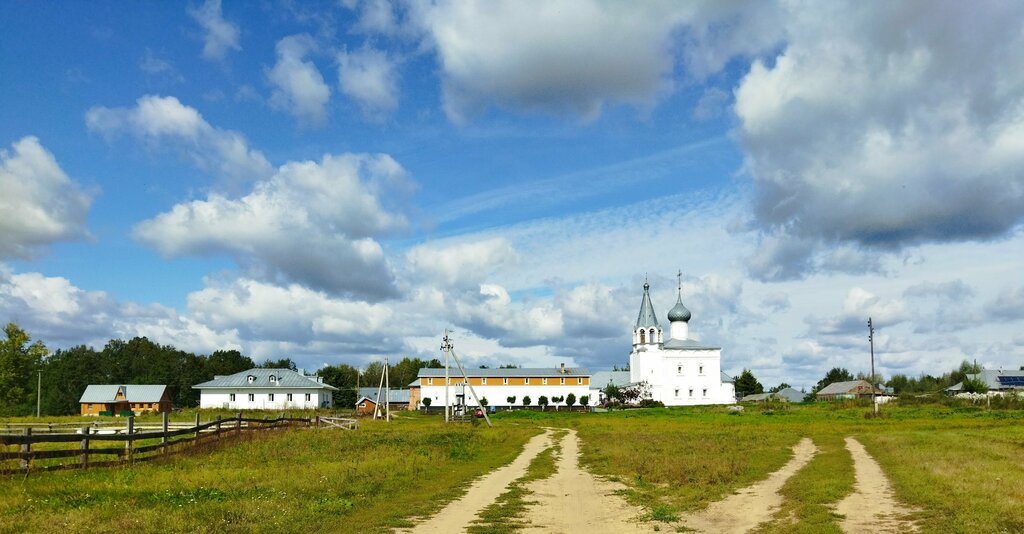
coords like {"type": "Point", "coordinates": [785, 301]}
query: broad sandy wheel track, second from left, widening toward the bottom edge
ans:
{"type": "Point", "coordinates": [574, 501]}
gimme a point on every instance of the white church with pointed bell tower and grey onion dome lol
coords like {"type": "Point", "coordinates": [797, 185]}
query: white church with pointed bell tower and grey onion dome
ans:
{"type": "Point", "coordinates": [680, 372]}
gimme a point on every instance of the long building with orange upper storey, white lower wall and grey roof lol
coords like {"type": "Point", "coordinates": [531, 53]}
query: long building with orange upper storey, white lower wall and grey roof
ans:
{"type": "Point", "coordinates": [497, 386]}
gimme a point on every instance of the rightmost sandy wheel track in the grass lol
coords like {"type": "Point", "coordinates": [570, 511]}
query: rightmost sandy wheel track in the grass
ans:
{"type": "Point", "coordinates": [872, 507]}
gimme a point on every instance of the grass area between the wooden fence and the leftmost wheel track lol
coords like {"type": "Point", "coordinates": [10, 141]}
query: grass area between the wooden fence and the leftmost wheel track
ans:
{"type": "Point", "coordinates": [303, 480]}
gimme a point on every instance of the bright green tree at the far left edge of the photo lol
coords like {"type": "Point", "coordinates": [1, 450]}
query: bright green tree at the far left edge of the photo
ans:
{"type": "Point", "coordinates": [20, 361]}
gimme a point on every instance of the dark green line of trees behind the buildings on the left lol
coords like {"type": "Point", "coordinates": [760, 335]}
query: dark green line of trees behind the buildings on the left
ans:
{"type": "Point", "coordinates": [66, 373]}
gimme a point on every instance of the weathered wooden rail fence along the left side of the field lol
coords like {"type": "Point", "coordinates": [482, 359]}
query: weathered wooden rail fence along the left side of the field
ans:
{"type": "Point", "coordinates": [167, 439]}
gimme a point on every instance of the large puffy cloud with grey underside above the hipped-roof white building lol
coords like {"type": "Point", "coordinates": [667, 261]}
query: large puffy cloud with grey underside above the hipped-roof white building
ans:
{"type": "Point", "coordinates": [312, 223]}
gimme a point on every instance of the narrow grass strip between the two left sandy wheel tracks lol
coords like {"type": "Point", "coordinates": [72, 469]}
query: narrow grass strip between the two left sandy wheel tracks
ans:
{"type": "Point", "coordinates": [506, 515]}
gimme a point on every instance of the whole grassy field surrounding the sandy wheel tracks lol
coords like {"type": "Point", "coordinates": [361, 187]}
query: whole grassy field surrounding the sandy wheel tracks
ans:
{"type": "Point", "coordinates": [959, 466]}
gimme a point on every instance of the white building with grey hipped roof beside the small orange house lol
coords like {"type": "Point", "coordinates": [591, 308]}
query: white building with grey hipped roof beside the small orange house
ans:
{"type": "Point", "coordinates": [266, 390]}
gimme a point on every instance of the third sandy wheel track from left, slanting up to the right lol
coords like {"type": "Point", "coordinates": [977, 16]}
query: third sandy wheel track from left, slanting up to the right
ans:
{"type": "Point", "coordinates": [754, 505]}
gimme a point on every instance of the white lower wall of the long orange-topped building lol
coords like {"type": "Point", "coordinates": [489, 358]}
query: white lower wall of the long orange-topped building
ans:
{"type": "Point", "coordinates": [498, 395]}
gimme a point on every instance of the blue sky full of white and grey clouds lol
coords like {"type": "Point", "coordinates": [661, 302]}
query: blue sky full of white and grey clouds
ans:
{"type": "Point", "coordinates": [339, 182]}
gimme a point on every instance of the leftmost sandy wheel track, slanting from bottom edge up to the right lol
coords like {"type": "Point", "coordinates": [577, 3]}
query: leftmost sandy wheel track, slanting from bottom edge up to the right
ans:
{"type": "Point", "coordinates": [459, 514]}
